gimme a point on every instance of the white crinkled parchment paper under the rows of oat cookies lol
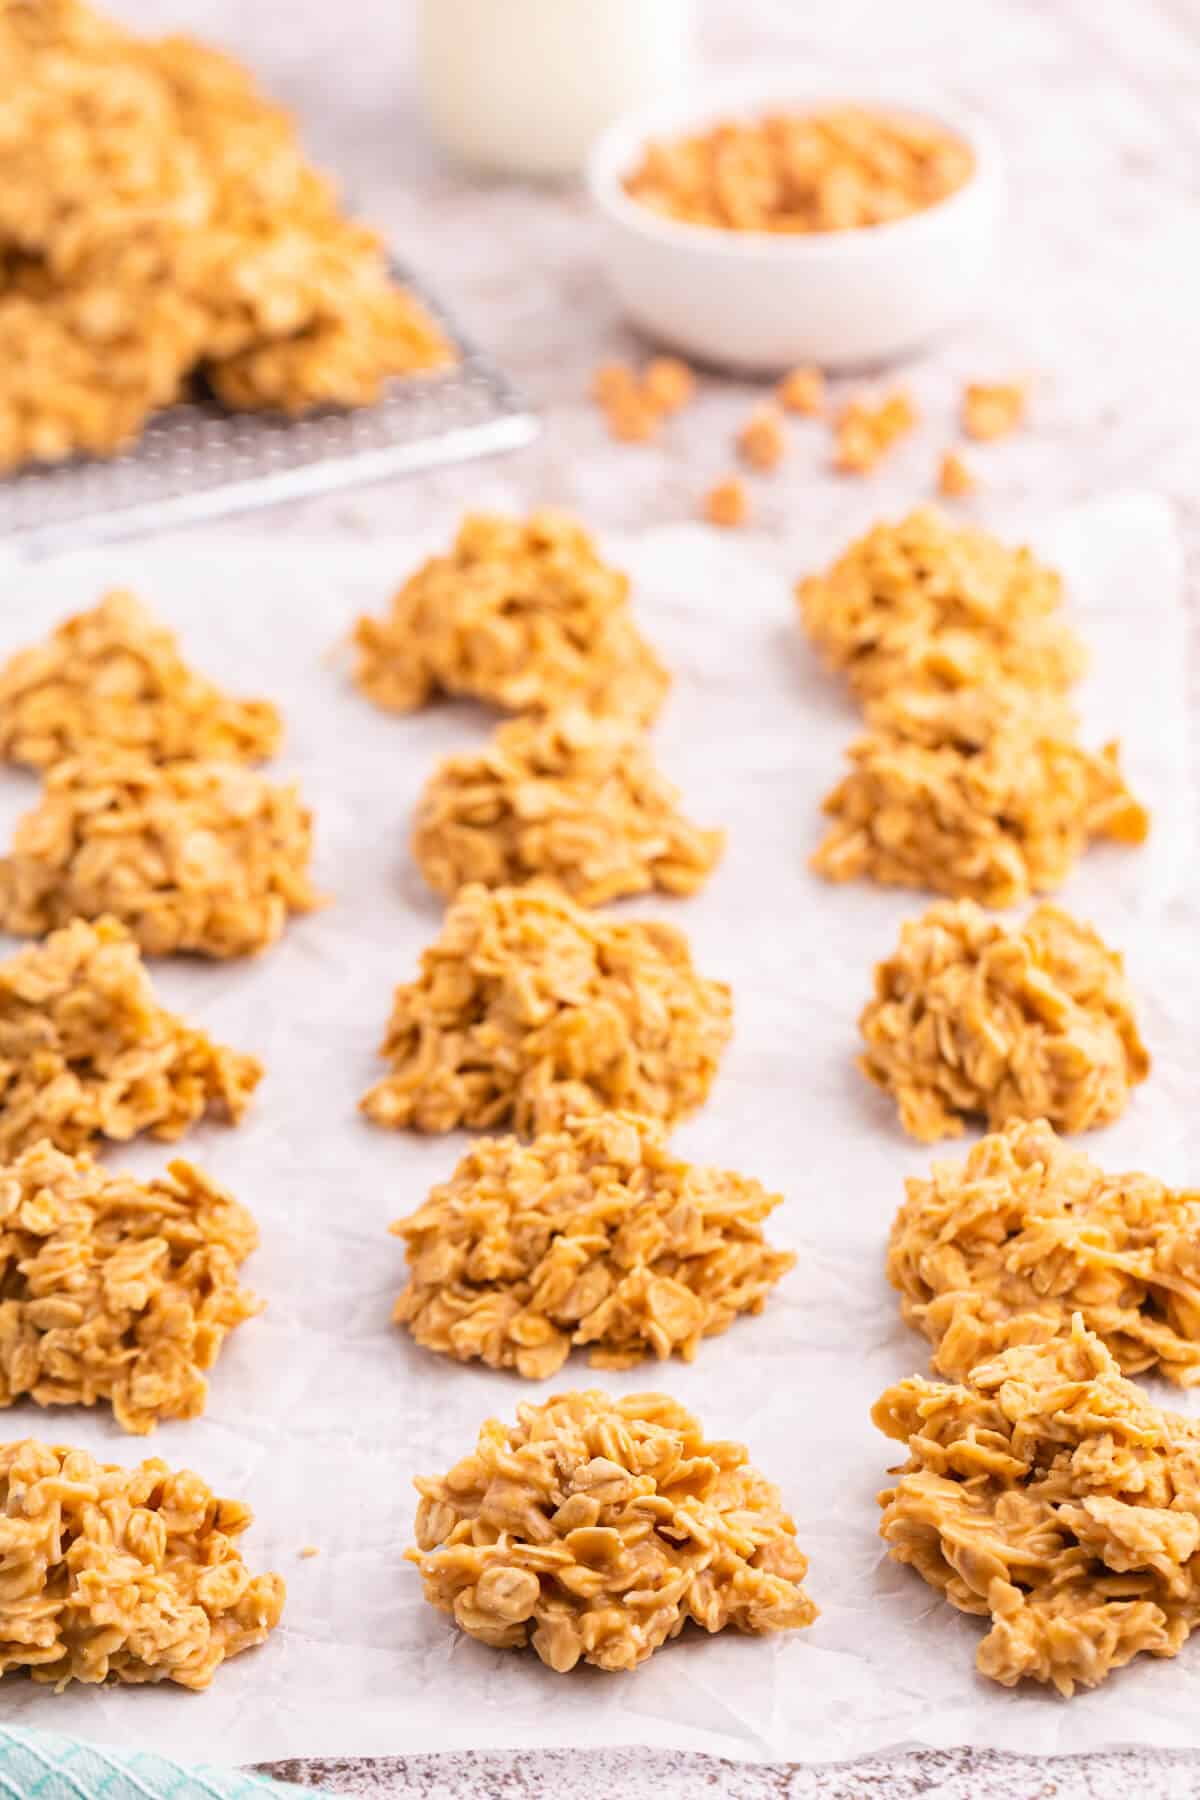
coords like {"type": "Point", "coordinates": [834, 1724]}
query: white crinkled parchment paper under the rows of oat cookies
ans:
{"type": "Point", "coordinates": [321, 1412]}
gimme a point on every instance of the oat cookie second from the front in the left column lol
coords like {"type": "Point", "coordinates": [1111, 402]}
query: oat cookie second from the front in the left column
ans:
{"type": "Point", "coordinates": [118, 1290]}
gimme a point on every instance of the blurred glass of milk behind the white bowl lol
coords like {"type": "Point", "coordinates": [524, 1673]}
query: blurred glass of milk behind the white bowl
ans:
{"type": "Point", "coordinates": [523, 87]}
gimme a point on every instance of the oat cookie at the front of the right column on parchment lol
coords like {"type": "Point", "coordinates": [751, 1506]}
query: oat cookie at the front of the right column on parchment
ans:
{"type": "Point", "coordinates": [1052, 1497]}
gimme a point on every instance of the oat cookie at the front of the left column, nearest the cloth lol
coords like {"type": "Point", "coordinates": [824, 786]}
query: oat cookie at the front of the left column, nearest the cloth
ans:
{"type": "Point", "coordinates": [123, 1574]}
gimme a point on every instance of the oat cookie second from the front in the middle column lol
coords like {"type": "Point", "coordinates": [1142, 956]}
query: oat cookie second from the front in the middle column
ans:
{"type": "Point", "coordinates": [589, 1236]}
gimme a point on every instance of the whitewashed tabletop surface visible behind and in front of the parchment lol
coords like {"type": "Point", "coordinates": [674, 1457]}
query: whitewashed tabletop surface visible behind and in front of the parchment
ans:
{"type": "Point", "coordinates": [1095, 298]}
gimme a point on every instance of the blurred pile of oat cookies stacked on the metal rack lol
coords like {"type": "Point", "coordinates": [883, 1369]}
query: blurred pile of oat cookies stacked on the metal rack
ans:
{"type": "Point", "coordinates": [159, 229]}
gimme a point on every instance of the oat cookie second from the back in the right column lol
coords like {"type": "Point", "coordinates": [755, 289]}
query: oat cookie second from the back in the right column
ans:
{"type": "Point", "coordinates": [974, 795]}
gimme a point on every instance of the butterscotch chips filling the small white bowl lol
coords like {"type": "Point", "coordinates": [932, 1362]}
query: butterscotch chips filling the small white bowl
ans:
{"type": "Point", "coordinates": [839, 168]}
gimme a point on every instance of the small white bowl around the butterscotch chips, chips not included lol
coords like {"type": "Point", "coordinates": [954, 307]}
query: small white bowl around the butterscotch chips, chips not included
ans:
{"type": "Point", "coordinates": [767, 301]}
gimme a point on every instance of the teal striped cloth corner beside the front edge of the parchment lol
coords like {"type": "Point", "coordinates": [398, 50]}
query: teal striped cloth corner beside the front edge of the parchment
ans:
{"type": "Point", "coordinates": [49, 1767]}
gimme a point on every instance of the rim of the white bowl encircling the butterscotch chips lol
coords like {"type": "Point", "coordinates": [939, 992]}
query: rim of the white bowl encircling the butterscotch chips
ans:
{"type": "Point", "coordinates": [614, 156]}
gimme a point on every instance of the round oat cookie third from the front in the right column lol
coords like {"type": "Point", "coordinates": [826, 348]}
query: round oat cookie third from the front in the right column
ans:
{"type": "Point", "coordinates": [980, 1020]}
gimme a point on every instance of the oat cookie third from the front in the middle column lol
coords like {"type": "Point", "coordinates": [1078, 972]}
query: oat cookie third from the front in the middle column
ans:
{"type": "Point", "coordinates": [530, 1009]}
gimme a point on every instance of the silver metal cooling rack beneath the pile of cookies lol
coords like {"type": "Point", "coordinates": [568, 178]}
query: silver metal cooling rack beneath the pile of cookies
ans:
{"type": "Point", "coordinates": [199, 462]}
